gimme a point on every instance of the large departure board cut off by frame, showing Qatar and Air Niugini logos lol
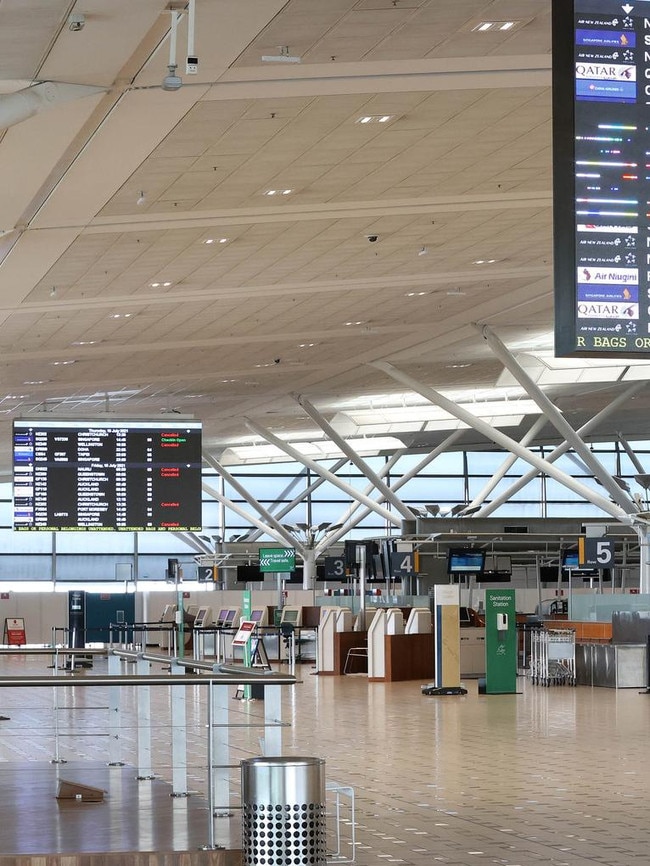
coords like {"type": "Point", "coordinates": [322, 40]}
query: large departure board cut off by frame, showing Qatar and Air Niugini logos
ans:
{"type": "Point", "coordinates": [601, 147]}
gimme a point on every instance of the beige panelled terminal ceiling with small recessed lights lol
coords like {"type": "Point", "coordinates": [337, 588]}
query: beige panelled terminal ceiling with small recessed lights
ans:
{"type": "Point", "coordinates": [106, 196]}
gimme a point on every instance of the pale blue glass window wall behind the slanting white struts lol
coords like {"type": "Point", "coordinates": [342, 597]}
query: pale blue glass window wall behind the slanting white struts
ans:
{"type": "Point", "coordinates": [452, 478]}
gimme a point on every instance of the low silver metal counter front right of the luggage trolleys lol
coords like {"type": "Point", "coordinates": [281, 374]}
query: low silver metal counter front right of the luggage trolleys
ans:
{"type": "Point", "coordinates": [614, 666]}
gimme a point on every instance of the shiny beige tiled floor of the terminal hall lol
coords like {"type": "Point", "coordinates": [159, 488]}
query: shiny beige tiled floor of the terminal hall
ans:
{"type": "Point", "coordinates": [550, 776]}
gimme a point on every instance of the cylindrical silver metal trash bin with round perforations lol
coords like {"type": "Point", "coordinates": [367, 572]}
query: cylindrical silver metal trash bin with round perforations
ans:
{"type": "Point", "coordinates": [283, 812]}
